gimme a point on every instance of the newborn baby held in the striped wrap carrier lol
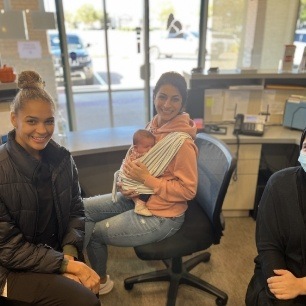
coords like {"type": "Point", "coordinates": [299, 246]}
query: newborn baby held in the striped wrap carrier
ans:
{"type": "Point", "coordinates": [143, 141]}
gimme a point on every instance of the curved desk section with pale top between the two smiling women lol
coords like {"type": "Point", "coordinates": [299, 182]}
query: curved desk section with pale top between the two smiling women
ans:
{"type": "Point", "coordinates": [98, 154]}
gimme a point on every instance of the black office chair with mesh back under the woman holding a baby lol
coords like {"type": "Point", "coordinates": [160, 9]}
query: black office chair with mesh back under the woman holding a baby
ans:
{"type": "Point", "coordinates": [203, 225]}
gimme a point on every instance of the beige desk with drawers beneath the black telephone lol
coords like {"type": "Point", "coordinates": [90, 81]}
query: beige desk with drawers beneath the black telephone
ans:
{"type": "Point", "coordinates": [242, 195]}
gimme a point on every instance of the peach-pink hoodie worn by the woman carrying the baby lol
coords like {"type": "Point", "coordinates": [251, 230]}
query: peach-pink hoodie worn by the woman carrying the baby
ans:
{"type": "Point", "coordinates": [179, 181]}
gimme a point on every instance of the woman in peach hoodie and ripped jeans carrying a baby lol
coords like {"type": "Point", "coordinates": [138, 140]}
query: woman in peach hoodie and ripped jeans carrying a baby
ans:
{"type": "Point", "coordinates": [117, 224]}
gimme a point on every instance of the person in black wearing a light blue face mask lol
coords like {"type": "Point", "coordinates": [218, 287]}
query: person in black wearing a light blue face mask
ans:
{"type": "Point", "coordinates": [280, 266]}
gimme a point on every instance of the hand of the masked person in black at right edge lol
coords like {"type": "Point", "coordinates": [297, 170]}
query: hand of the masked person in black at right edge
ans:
{"type": "Point", "coordinates": [285, 285]}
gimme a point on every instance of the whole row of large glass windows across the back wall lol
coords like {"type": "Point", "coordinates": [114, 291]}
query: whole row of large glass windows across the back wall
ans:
{"type": "Point", "coordinates": [107, 56]}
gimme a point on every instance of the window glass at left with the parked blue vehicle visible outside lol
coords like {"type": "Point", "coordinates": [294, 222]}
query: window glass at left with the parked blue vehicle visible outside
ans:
{"type": "Point", "coordinates": [104, 63]}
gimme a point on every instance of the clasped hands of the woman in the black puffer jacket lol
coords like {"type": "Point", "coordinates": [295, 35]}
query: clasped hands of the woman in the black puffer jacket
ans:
{"type": "Point", "coordinates": [88, 277]}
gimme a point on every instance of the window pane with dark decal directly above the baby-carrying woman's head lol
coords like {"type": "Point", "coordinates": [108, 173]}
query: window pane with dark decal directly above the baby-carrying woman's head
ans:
{"type": "Point", "coordinates": [174, 36]}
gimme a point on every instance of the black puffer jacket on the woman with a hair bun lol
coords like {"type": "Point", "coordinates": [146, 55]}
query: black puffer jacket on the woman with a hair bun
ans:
{"type": "Point", "coordinates": [20, 209]}
